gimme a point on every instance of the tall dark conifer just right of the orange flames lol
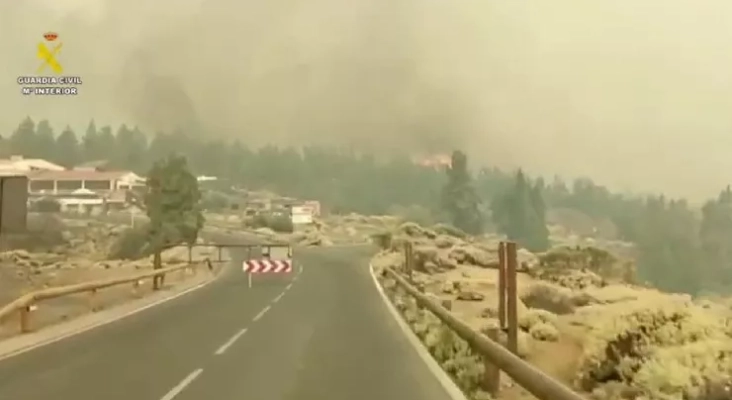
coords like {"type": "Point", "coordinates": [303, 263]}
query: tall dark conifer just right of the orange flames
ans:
{"type": "Point", "coordinates": [459, 198]}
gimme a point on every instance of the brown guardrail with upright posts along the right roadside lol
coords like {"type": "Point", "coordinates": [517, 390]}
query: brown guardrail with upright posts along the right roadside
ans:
{"type": "Point", "coordinates": [495, 356]}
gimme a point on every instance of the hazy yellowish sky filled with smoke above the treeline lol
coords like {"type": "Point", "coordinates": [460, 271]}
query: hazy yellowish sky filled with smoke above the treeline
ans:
{"type": "Point", "coordinates": [635, 94]}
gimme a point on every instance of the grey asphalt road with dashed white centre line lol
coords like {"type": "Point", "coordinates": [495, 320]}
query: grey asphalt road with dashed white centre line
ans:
{"type": "Point", "coordinates": [321, 335]}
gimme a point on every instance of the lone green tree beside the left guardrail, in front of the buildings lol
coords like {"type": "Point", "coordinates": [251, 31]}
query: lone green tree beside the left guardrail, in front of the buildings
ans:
{"type": "Point", "coordinates": [173, 205]}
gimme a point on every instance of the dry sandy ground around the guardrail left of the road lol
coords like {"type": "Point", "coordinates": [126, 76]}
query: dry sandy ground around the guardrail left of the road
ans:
{"type": "Point", "coordinates": [73, 251]}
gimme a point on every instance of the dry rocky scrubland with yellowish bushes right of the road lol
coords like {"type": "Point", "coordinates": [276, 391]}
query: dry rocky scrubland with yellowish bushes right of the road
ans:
{"type": "Point", "coordinates": [582, 318]}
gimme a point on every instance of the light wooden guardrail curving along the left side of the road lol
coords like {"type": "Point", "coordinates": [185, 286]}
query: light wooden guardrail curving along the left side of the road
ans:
{"type": "Point", "coordinates": [26, 303]}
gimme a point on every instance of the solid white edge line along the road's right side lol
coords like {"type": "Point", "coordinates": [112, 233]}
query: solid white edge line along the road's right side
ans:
{"type": "Point", "coordinates": [445, 381]}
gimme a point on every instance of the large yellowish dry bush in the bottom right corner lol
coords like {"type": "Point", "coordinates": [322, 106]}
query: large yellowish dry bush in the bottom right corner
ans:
{"type": "Point", "coordinates": [663, 348]}
